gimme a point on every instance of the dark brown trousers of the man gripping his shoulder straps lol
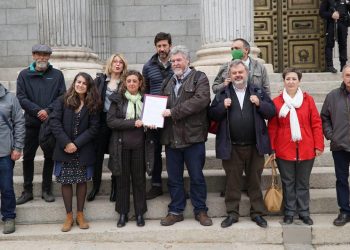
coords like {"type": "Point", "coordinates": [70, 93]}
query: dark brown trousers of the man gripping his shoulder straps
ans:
{"type": "Point", "coordinates": [247, 159]}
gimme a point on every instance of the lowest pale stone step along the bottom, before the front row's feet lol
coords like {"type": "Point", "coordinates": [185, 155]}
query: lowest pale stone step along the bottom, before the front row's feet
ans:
{"type": "Point", "coordinates": [103, 234]}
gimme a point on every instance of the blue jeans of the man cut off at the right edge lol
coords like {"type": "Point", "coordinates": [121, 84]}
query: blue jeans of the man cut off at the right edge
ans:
{"type": "Point", "coordinates": [341, 163]}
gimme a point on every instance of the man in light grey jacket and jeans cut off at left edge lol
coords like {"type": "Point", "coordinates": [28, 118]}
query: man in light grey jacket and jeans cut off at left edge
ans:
{"type": "Point", "coordinates": [11, 145]}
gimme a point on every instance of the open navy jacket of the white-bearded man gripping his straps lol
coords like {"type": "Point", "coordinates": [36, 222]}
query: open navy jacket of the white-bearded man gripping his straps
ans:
{"type": "Point", "coordinates": [217, 112]}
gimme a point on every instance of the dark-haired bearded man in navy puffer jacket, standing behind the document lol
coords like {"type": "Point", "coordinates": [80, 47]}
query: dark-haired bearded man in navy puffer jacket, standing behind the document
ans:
{"type": "Point", "coordinates": [155, 71]}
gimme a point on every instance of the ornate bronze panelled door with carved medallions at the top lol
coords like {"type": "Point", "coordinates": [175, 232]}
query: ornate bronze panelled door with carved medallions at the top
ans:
{"type": "Point", "coordinates": [290, 34]}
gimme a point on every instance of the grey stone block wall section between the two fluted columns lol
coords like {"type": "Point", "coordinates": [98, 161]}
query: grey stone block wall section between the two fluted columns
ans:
{"type": "Point", "coordinates": [134, 24]}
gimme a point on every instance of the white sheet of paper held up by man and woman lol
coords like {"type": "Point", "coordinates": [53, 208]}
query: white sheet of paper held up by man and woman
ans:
{"type": "Point", "coordinates": [153, 107]}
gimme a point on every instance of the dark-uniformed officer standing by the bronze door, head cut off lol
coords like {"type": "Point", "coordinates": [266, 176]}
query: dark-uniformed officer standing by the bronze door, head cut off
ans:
{"type": "Point", "coordinates": [336, 14]}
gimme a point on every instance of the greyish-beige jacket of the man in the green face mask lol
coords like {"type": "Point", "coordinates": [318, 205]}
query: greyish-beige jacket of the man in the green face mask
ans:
{"type": "Point", "coordinates": [257, 76]}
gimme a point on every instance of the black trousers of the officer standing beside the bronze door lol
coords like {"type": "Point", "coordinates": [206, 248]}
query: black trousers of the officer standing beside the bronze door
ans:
{"type": "Point", "coordinates": [342, 43]}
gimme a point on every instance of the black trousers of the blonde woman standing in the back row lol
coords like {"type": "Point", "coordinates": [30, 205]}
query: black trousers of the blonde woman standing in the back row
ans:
{"type": "Point", "coordinates": [102, 142]}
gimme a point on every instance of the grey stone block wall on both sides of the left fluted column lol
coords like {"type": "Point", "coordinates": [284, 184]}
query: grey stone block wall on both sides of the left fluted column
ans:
{"type": "Point", "coordinates": [134, 24]}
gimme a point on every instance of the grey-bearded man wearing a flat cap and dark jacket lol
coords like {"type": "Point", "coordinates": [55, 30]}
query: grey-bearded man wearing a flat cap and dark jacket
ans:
{"type": "Point", "coordinates": [38, 86]}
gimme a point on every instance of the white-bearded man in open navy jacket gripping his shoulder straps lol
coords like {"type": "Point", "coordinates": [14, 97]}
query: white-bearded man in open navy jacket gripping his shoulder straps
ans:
{"type": "Point", "coordinates": [242, 140]}
